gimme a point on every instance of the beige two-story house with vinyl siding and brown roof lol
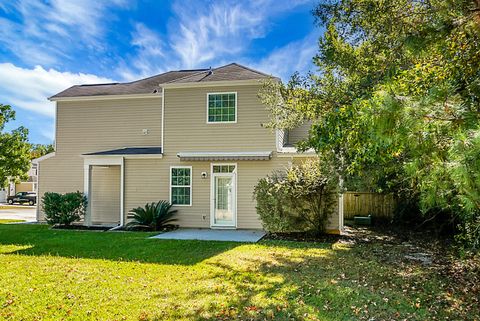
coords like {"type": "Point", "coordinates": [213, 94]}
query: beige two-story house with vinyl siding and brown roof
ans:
{"type": "Point", "coordinates": [193, 137]}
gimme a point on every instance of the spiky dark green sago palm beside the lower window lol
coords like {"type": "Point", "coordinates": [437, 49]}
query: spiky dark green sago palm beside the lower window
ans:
{"type": "Point", "coordinates": [154, 216]}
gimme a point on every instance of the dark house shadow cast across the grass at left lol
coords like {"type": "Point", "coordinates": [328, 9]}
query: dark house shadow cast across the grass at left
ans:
{"type": "Point", "coordinates": [117, 246]}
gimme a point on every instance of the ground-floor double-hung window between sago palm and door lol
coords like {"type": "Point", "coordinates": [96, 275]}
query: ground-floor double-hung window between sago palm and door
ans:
{"type": "Point", "coordinates": [181, 185]}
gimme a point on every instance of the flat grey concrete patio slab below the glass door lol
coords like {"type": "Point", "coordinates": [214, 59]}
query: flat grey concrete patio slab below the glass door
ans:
{"type": "Point", "coordinates": [251, 236]}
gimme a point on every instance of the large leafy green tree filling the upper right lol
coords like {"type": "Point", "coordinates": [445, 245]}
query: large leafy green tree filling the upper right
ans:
{"type": "Point", "coordinates": [397, 99]}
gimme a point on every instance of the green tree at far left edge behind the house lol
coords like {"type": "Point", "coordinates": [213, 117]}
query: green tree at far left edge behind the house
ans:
{"type": "Point", "coordinates": [14, 149]}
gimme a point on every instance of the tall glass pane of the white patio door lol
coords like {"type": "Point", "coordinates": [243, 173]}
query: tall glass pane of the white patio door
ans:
{"type": "Point", "coordinates": [223, 200]}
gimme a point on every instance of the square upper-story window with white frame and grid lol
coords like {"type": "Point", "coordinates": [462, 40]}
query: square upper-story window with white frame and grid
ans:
{"type": "Point", "coordinates": [222, 108]}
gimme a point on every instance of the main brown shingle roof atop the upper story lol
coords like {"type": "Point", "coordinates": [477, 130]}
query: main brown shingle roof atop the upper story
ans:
{"type": "Point", "coordinates": [151, 85]}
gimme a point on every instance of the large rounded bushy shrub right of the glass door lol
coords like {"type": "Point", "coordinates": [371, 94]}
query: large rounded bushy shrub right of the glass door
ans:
{"type": "Point", "coordinates": [298, 199]}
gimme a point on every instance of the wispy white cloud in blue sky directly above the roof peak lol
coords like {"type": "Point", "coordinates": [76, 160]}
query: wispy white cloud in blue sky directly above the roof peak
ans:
{"type": "Point", "coordinates": [203, 34]}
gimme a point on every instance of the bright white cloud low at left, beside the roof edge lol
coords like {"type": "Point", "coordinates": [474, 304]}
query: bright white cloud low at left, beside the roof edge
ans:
{"type": "Point", "coordinates": [29, 88]}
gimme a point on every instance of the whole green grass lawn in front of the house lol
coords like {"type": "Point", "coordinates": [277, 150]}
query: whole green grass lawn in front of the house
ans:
{"type": "Point", "coordinates": [78, 275]}
